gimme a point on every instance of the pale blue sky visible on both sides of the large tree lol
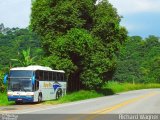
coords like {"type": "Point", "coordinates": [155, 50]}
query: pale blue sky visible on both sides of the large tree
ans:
{"type": "Point", "coordinates": [140, 17]}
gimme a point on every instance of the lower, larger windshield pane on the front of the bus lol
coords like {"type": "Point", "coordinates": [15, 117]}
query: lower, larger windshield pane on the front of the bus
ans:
{"type": "Point", "coordinates": [16, 84]}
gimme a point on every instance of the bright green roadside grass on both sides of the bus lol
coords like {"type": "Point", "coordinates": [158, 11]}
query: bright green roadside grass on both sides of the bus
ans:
{"type": "Point", "coordinates": [108, 89]}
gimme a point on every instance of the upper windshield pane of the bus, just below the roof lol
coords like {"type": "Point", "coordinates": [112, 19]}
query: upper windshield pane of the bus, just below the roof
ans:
{"type": "Point", "coordinates": [21, 73]}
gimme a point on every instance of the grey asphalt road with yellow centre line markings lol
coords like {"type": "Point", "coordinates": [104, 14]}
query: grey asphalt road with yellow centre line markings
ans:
{"type": "Point", "coordinates": [133, 102]}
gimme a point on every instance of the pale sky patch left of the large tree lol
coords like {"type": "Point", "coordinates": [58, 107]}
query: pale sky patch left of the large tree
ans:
{"type": "Point", "coordinates": [15, 13]}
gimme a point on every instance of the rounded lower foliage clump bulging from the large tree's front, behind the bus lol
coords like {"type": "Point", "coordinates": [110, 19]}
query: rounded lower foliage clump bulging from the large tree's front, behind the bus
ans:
{"type": "Point", "coordinates": [80, 55]}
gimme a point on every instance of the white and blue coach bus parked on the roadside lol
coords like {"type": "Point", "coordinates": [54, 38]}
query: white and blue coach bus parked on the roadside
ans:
{"type": "Point", "coordinates": [35, 84]}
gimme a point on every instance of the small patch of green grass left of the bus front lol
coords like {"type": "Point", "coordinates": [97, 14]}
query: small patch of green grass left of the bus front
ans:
{"type": "Point", "coordinates": [4, 100]}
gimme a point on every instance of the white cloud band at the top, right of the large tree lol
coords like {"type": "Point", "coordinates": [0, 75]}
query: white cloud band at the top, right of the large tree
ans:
{"type": "Point", "coordinates": [136, 6]}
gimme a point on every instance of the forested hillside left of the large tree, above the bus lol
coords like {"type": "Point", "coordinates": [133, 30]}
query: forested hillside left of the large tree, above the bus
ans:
{"type": "Point", "coordinates": [13, 42]}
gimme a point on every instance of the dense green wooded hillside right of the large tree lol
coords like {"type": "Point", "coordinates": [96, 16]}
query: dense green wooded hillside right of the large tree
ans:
{"type": "Point", "coordinates": [139, 61]}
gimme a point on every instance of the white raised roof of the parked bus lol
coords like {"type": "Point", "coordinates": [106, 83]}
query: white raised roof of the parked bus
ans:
{"type": "Point", "coordinates": [36, 67]}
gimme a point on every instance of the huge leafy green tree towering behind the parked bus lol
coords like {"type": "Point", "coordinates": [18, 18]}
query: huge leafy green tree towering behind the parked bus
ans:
{"type": "Point", "coordinates": [83, 34]}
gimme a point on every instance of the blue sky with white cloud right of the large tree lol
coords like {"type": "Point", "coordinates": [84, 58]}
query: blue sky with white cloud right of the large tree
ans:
{"type": "Point", "coordinates": [140, 17]}
